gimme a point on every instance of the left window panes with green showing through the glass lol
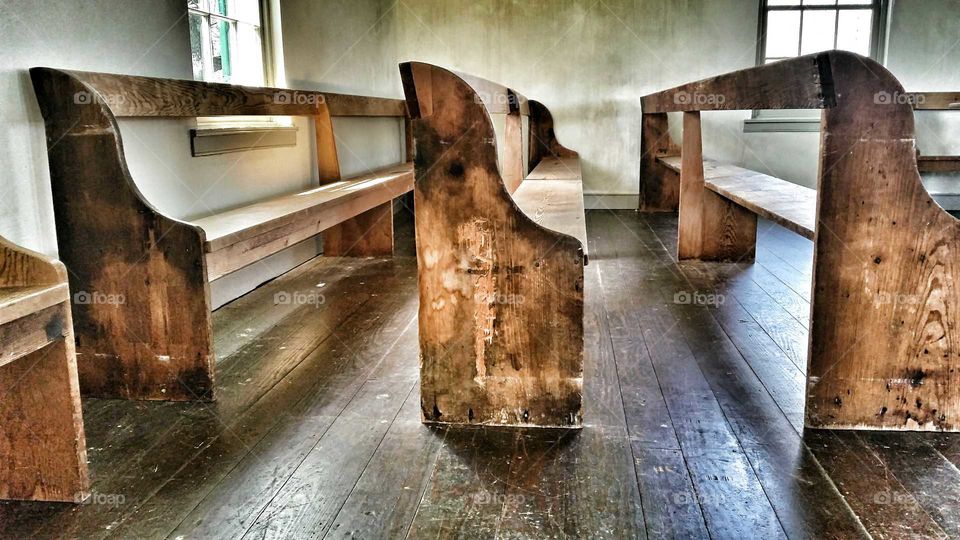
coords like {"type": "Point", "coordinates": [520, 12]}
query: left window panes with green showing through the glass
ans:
{"type": "Point", "coordinates": [226, 41]}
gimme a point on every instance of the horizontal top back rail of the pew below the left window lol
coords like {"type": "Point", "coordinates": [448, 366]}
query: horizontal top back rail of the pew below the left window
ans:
{"type": "Point", "coordinates": [135, 96]}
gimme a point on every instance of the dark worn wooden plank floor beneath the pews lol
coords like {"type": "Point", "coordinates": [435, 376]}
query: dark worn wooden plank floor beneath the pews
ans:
{"type": "Point", "coordinates": [693, 411]}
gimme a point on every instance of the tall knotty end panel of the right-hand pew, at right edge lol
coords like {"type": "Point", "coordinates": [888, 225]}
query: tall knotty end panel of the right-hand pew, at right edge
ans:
{"type": "Point", "coordinates": [883, 351]}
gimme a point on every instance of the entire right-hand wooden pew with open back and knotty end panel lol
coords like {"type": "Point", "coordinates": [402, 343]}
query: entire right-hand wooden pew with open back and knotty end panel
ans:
{"type": "Point", "coordinates": [885, 307]}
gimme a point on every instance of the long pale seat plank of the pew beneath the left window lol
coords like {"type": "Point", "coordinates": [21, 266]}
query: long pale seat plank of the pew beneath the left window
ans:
{"type": "Point", "coordinates": [247, 234]}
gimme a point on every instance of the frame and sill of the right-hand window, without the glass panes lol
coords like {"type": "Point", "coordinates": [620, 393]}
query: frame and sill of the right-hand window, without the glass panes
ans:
{"type": "Point", "coordinates": [770, 121]}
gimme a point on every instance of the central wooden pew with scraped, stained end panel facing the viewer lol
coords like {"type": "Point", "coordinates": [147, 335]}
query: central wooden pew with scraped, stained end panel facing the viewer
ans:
{"type": "Point", "coordinates": [500, 253]}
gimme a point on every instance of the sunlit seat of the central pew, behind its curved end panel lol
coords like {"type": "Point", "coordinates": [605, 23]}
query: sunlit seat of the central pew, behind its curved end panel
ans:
{"type": "Point", "coordinates": [552, 196]}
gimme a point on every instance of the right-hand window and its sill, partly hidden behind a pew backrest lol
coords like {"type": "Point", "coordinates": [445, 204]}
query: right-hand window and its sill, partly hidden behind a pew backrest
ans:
{"type": "Point", "coordinates": [790, 28]}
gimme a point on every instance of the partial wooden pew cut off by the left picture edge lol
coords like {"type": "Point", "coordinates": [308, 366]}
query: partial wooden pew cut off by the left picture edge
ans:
{"type": "Point", "coordinates": [42, 445]}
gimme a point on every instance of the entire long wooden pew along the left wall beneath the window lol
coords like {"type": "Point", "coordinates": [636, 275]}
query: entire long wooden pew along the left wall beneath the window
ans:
{"type": "Point", "coordinates": [156, 342]}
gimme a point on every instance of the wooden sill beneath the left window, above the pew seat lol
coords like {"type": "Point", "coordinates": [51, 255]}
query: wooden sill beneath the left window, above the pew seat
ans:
{"type": "Point", "coordinates": [211, 141]}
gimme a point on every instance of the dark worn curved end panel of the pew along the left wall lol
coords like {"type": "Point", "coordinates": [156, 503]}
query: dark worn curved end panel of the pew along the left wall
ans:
{"type": "Point", "coordinates": [131, 267]}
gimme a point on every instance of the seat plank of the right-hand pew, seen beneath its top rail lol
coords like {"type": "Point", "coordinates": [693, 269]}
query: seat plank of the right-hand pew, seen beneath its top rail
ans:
{"type": "Point", "coordinates": [785, 203]}
